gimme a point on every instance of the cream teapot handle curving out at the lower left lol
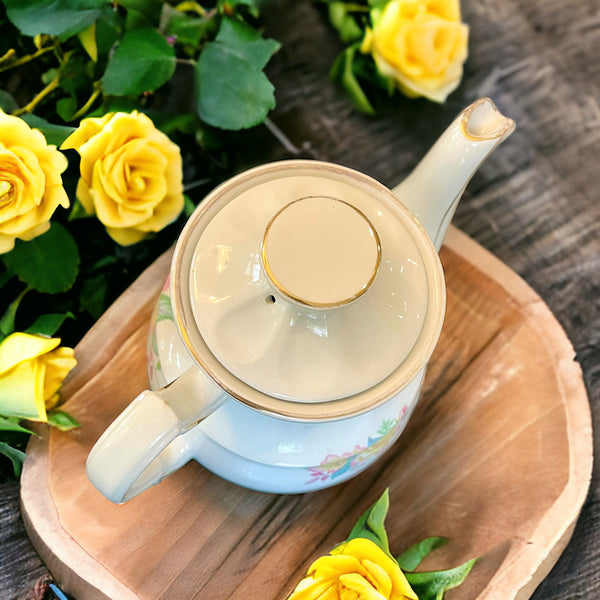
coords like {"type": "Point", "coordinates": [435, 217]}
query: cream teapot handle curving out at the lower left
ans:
{"type": "Point", "coordinates": [147, 441]}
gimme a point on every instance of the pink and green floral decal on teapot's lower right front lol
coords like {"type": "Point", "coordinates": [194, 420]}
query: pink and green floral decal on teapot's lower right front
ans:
{"type": "Point", "coordinates": [334, 465]}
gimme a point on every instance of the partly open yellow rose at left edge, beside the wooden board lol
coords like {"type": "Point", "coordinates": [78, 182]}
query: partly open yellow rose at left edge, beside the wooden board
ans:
{"type": "Point", "coordinates": [32, 369]}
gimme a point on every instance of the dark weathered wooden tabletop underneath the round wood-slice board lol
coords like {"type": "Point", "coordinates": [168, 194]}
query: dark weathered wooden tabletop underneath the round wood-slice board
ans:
{"type": "Point", "coordinates": [535, 203]}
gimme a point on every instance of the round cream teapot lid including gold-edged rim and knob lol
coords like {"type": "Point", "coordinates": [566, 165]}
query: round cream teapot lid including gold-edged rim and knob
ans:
{"type": "Point", "coordinates": [305, 289]}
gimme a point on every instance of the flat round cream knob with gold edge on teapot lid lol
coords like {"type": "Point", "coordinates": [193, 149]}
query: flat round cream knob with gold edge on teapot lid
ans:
{"type": "Point", "coordinates": [321, 252]}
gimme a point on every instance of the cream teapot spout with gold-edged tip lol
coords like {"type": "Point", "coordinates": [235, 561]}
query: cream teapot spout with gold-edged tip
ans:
{"type": "Point", "coordinates": [433, 189]}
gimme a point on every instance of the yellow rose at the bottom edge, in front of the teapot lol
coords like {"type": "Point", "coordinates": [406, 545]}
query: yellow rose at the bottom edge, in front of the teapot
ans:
{"type": "Point", "coordinates": [355, 570]}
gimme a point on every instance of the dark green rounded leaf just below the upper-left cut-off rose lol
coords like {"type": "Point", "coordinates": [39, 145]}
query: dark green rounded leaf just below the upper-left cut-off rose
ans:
{"type": "Point", "coordinates": [48, 263]}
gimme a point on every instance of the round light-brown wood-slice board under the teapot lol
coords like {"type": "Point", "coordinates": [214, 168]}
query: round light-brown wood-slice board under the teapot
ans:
{"type": "Point", "coordinates": [497, 457]}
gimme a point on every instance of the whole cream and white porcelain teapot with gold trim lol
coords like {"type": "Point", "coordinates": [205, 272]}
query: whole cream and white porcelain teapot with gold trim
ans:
{"type": "Point", "coordinates": [288, 346]}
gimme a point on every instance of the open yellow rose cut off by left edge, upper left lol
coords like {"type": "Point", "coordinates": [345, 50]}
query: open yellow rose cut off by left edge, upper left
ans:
{"type": "Point", "coordinates": [30, 182]}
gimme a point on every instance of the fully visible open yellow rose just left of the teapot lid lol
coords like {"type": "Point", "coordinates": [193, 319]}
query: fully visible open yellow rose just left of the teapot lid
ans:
{"type": "Point", "coordinates": [131, 174]}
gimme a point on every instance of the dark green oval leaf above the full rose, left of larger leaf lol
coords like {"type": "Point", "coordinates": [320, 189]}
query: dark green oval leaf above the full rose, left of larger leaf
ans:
{"type": "Point", "coordinates": [143, 61]}
